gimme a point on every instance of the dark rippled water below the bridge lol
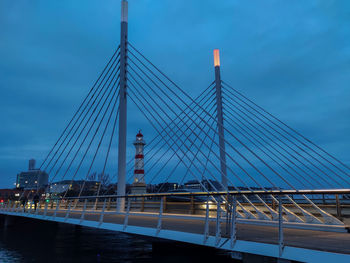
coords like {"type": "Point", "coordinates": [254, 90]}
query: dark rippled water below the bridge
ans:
{"type": "Point", "coordinates": [25, 240]}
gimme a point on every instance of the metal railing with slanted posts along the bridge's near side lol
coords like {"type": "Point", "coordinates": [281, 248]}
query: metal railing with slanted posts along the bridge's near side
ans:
{"type": "Point", "coordinates": [218, 213]}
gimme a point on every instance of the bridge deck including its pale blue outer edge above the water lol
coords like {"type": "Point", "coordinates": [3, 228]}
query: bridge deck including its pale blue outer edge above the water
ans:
{"type": "Point", "coordinates": [300, 244]}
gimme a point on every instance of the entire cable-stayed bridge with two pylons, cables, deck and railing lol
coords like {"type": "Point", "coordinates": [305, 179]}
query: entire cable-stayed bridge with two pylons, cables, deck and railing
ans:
{"type": "Point", "coordinates": [262, 187]}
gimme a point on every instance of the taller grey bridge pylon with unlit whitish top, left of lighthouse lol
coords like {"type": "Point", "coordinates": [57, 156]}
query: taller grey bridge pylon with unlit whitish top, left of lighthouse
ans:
{"type": "Point", "coordinates": [122, 107]}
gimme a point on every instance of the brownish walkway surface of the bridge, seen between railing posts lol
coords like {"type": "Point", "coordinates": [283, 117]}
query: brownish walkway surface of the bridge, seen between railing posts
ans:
{"type": "Point", "coordinates": [317, 240]}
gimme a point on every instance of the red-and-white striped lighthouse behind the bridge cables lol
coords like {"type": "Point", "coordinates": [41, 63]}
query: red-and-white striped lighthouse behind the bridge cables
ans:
{"type": "Point", "coordinates": [139, 185]}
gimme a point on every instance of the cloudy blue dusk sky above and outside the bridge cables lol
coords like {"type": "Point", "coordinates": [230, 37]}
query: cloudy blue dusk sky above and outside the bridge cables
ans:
{"type": "Point", "coordinates": [291, 57]}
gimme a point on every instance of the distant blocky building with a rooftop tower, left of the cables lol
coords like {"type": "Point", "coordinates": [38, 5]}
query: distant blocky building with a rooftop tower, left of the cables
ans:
{"type": "Point", "coordinates": [33, 179]}
